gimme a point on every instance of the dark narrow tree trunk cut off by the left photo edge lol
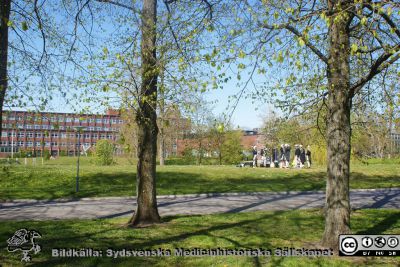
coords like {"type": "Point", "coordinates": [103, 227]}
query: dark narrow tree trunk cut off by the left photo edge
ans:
{"type": "Point", "coordinates": [5, 16]}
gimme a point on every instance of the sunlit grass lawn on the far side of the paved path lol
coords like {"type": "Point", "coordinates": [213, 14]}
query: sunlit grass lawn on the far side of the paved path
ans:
{"type": "Point", "coordinates": [56, 179]}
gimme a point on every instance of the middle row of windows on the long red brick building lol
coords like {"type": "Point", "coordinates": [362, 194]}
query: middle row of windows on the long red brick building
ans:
{"type": "Point", "coordinates": [57, 135]}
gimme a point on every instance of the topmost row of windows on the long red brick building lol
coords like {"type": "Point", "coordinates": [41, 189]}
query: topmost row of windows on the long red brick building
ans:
{"type": "Point", "coordinates": [63, 119]}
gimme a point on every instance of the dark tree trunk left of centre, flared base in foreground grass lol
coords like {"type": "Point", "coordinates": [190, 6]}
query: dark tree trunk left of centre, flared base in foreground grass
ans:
{"type": "Point", "coordinates": [146, 119]}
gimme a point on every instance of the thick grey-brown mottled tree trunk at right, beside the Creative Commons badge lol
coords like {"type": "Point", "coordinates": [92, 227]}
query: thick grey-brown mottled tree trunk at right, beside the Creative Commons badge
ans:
{"type": "Point", "coordinates": [337, 205]}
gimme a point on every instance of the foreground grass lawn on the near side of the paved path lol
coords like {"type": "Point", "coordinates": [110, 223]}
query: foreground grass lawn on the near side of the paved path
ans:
{"type": "Point", "coordinates": [266, 230]}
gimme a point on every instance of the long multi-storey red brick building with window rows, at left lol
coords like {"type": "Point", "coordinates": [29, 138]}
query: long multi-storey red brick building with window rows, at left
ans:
{"type": "Point", "coordinates": [56, 132]}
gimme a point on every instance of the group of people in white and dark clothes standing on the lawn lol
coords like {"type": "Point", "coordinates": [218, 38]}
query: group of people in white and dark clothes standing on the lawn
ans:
{"type": "Point", "coordinates": [281, 158]}
